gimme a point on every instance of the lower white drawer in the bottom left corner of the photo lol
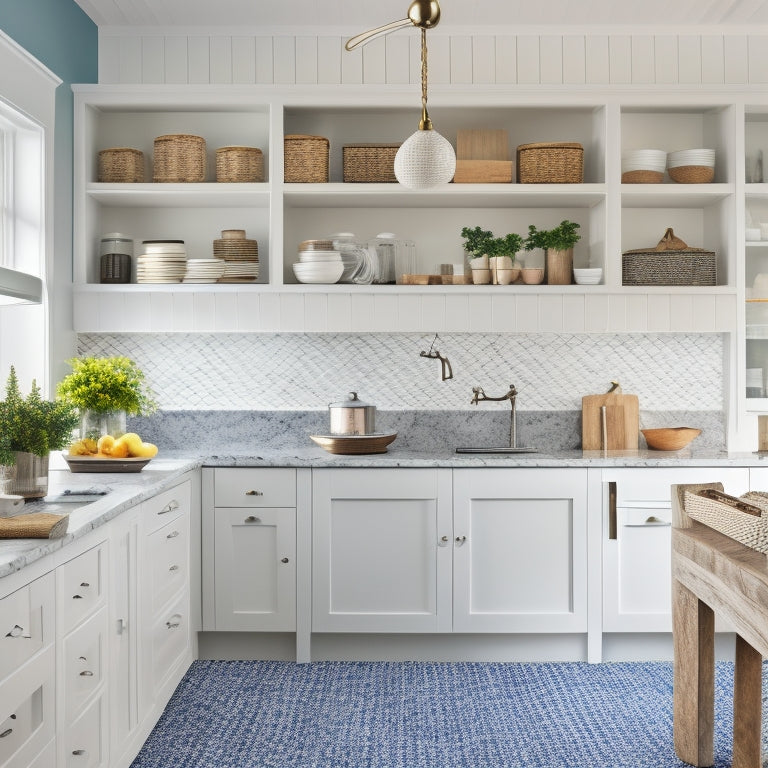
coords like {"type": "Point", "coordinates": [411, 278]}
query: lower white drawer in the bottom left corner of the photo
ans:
{"type": "Point", "coordinates": [27, 711]}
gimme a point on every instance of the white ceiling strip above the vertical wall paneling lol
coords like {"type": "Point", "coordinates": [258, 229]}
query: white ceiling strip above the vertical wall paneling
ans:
{"type": "Point", "coordinates": [364, 14]}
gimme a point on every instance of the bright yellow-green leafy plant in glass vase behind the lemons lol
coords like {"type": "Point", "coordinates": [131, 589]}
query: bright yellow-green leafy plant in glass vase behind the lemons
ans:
{"type": "Point", "coordinates": [105, 390]}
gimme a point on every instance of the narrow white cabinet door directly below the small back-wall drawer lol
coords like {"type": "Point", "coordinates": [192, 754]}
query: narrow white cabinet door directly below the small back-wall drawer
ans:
{"type": "Point", "coordinates": [255, 571]}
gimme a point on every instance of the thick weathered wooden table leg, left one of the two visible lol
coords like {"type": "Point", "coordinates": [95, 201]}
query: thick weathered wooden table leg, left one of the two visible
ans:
{"type": "Point", "coordinates": [694, 677]}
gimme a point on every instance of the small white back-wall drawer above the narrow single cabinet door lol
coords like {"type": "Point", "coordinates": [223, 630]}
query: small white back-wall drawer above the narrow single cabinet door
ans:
{"type": "Point", "coordinates": [255, 488]}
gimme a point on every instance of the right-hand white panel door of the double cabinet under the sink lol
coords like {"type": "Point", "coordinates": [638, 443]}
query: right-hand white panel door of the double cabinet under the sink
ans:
{"type": "Point", "coordinates": [520, 550]}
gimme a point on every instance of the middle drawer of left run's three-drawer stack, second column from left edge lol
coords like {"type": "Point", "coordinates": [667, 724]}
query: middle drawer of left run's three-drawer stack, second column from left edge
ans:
{"type": "Point", "coordinates": [84, 661]}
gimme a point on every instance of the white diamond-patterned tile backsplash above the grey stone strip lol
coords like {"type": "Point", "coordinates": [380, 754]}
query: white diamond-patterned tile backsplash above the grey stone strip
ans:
{"type": "Point", "coordinates": [306, 372]}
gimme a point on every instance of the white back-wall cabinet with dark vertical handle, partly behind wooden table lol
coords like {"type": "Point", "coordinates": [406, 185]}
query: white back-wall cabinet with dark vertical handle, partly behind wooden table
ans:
{"type": "Point", "coordinates": [637, 556]}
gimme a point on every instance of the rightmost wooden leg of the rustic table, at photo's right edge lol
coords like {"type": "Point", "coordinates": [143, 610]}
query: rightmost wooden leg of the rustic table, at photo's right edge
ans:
{"type": "Point", "coordinates": [747, 705]}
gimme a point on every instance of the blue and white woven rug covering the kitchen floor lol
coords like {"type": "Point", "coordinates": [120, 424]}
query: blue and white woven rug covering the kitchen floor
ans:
{"type": "Point", "coordinates": [264, 714]}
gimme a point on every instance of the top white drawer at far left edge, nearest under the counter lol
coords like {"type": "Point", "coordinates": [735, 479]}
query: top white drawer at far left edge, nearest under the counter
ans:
{"type": "Point", "coordinates": [26, 623]}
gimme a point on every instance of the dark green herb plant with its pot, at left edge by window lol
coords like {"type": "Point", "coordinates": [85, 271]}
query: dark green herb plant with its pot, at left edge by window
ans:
{"type": "Point", "coordinates": [30, 428]}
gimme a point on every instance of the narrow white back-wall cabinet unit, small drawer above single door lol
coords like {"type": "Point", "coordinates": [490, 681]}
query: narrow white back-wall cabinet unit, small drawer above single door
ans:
{"type": "Point", "coordinates": [249, 550]}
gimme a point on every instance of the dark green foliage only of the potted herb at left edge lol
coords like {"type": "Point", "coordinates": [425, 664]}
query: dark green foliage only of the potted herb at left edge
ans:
{"type": "Point", "coordinates": [31, 424]}
